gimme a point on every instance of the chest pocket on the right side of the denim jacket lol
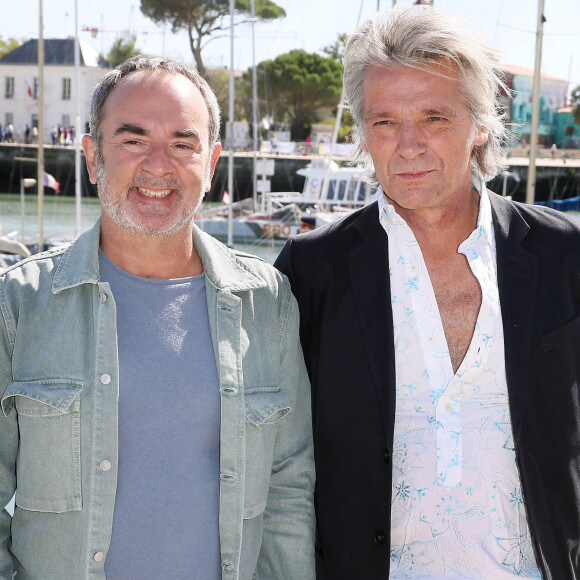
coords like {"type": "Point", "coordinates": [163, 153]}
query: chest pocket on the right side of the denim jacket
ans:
{"type": "Point", "coordinates": [265, 407]}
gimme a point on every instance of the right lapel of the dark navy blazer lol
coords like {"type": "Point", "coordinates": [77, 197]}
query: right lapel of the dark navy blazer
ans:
{"type": "Point", "coordinates": [517, 272]}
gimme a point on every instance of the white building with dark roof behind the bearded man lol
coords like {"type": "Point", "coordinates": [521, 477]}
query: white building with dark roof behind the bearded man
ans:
{"type": "Point", "coordinates": [19, 84]}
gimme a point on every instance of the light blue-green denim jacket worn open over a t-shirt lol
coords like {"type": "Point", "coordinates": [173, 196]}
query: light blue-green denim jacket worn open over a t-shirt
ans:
{"type": "Point", "coordinates": [58, 427]}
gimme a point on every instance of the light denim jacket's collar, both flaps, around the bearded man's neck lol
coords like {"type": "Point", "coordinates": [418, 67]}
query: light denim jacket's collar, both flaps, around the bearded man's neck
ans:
{"type": "Point", "coordinates": [80, 264]}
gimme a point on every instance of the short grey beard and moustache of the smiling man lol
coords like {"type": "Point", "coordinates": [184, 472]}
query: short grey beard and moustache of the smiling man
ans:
{"type": "Point", "coordinates": [121, 218]}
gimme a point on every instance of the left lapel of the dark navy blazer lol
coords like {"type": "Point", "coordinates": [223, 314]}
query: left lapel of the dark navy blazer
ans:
{"type": "Point", "coordinates": [368, 268]}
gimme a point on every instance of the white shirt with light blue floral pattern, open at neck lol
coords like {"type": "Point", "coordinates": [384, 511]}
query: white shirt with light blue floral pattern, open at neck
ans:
{"type": "Point", "coordinates": [457, 506]}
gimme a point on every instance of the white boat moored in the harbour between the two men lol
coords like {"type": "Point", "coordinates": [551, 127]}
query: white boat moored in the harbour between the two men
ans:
{"type": "Point", "coordinates": [329, 192]}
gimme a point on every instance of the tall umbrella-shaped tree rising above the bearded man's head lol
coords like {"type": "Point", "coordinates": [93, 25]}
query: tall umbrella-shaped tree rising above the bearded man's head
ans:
{"type": "Point", "coordinates": [202, 18]}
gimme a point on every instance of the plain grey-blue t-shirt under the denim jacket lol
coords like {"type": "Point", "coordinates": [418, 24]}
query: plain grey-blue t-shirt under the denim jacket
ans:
{"type": "Point", "coordinates": [165, 523]}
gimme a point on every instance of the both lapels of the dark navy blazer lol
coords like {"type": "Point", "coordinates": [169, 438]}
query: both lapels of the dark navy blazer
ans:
{"type": "Point", "coordinates": [368, 267]}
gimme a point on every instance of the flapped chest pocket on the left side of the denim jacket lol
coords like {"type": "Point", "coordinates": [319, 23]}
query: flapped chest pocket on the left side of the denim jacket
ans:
{"type": "Point", "coordinates": [48, 467]}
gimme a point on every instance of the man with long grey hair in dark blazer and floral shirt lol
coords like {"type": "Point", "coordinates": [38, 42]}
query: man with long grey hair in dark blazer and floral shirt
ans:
{"type": "Point", "coordinates": [441, 331]}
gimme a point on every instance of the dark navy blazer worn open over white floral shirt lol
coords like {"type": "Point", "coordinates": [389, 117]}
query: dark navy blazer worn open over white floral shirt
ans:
{"type": "Point", "coordinates": [339, 275]}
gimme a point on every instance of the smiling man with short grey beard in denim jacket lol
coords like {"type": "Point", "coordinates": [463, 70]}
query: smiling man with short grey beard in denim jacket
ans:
{"type": "Point", "coordinates": [155, 404]}
